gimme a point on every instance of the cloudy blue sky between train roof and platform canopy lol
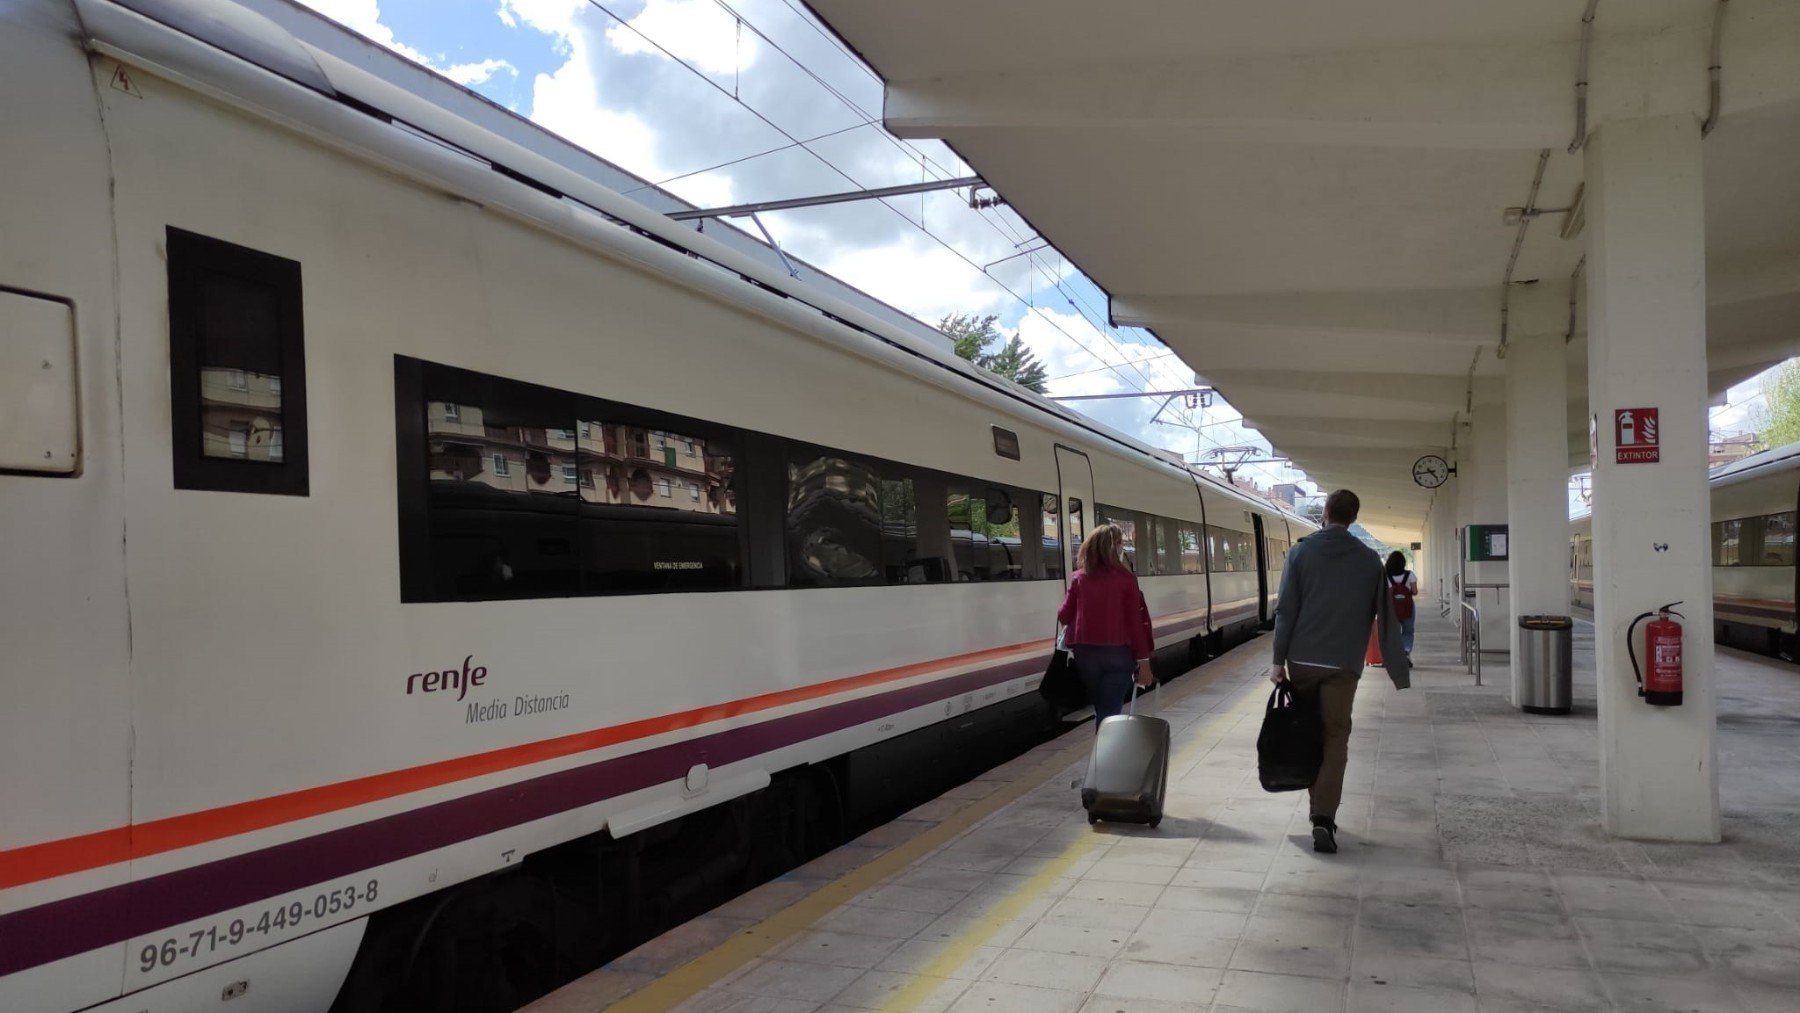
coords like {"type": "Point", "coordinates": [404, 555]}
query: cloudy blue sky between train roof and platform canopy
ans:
{"type": "Point", "coordinates": [728, 102]}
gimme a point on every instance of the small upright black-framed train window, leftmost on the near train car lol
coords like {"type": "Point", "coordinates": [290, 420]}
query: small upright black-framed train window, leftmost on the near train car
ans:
{"type": "Point", "coordinates": [237, 368]}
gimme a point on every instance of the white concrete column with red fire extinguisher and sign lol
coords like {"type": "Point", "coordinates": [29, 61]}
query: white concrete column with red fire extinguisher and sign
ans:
{"type": "Point", "coordinates": [1648, 348]}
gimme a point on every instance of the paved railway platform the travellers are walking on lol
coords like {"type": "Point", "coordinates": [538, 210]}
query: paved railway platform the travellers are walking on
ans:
{"type": "Point", "coordinates": [1473, 875]}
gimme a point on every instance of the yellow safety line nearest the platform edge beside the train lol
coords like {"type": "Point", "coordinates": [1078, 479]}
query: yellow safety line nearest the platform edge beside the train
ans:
{"type": "Point", "coordinates": [701, 973]}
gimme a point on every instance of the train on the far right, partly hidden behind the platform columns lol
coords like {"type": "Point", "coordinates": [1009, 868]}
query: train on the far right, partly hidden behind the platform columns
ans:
{"type": "Point", "coordinates": [1754, 508]}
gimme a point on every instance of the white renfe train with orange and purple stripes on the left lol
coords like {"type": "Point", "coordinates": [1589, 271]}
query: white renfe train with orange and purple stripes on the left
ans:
{"type": "Point", "coordinates": [433, 573]}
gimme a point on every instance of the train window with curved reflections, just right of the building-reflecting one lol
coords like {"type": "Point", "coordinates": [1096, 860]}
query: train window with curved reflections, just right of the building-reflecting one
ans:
{"type": "Point", "coordinates": [834, 521]}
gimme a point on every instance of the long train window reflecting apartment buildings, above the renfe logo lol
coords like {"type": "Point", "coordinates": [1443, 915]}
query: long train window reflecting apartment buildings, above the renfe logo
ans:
{"type": "Point", "coordinates": [512, 490]}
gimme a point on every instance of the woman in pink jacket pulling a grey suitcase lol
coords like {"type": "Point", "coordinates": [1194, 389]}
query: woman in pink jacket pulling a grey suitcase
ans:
{"type": "Point", "coordinates": [1106, 623]}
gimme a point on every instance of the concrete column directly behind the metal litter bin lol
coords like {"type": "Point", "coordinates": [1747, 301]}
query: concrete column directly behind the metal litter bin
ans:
{"type": "Point", "coordinates": [1538, 462]}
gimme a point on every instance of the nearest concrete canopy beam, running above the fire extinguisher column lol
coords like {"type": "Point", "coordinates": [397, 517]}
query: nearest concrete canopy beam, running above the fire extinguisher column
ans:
{"type": "Point", "coordinates": [1504, 94]}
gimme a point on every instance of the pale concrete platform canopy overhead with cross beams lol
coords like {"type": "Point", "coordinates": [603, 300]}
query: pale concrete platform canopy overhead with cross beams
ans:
{"type": "Point", "coordinates": [1308, 199]}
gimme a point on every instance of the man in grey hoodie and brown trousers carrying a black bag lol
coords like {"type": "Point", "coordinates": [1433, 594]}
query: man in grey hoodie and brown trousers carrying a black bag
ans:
{"type": "Point", "coordinates": [1333, 595]}
